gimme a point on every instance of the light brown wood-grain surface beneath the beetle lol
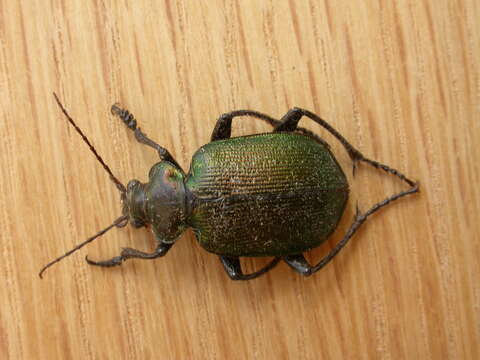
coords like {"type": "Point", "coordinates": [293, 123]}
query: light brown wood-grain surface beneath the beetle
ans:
{"type": "Point", "coordinates": [400, 80]}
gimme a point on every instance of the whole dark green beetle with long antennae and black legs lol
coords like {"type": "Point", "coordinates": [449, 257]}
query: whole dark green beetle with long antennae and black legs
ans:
{"type": "Point", "coordinates": [275, 194]}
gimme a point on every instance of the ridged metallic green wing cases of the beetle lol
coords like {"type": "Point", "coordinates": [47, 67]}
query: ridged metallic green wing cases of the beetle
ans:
{"type": "Point", "coordinates": [265, 195]}
